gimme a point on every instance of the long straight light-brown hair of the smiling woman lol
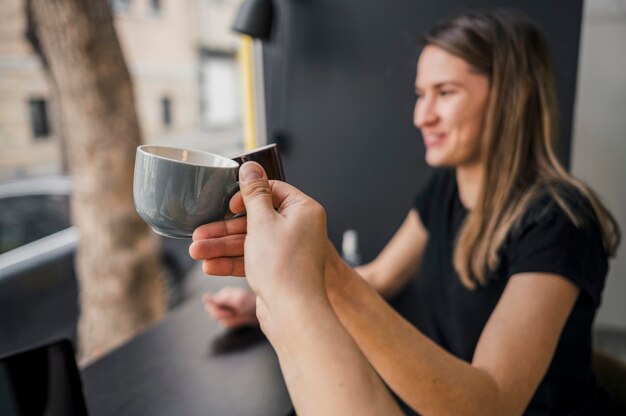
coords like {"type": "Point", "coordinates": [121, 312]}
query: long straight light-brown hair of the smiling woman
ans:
{"type": "Point", "coordinates": [518, 136]}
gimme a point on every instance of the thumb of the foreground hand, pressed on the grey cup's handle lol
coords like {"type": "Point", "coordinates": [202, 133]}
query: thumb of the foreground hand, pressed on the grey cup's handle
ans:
{"type": "Point", "coordinates": [255, 190]}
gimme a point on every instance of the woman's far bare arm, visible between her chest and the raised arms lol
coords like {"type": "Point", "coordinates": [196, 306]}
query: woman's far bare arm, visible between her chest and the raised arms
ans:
{"type": "Point", "coordinates": [399, 260]}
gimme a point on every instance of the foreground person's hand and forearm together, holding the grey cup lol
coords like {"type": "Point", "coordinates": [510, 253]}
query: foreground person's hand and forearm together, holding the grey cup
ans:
{"type": "Point", "coordinates": [285, 260]}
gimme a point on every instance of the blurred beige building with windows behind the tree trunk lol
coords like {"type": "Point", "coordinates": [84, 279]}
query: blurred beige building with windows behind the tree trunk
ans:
{"type": "Point", "coordinates": [182, 58]}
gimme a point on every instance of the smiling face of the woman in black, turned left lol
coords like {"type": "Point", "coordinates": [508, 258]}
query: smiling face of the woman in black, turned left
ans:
{"type": "Point", "coordinates": [450, 108]}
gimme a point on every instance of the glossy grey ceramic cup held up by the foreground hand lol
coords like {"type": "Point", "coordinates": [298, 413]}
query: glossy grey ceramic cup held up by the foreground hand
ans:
{"type": "Point", "coordinates": [177, 190]}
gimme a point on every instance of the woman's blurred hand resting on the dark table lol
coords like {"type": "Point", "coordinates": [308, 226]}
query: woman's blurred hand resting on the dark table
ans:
{"type": "Point", "coordinates": [232, 307]}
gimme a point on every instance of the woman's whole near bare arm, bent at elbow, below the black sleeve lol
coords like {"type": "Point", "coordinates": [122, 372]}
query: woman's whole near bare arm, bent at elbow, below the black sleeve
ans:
{"type": "Point", "coordinates": [510, 360]}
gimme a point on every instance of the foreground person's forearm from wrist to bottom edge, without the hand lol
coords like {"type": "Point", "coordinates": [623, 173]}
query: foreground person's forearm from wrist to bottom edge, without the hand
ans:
{"type": "Point", "coordinates": [324, 370]}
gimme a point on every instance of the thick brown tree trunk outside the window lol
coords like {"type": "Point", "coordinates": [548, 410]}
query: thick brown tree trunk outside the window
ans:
{"type": "Point", "coordinates": [117, 261]}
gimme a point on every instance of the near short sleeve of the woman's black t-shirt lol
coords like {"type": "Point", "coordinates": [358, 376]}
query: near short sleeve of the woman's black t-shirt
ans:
{"type": "Point", "coordinates": [548, 241]}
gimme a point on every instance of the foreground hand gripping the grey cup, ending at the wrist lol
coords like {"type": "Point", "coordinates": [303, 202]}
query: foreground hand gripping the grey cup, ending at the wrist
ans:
{"type": "Point", "coordinates": [286, 238]}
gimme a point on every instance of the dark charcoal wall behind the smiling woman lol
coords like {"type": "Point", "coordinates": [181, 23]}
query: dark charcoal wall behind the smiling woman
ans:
{"type": "Point", "coordinates": [339, 88]}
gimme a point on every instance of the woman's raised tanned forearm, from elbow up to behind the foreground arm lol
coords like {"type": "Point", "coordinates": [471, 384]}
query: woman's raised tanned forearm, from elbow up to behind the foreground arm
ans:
{"type": "Point", "coordinates": [425, 376]}
